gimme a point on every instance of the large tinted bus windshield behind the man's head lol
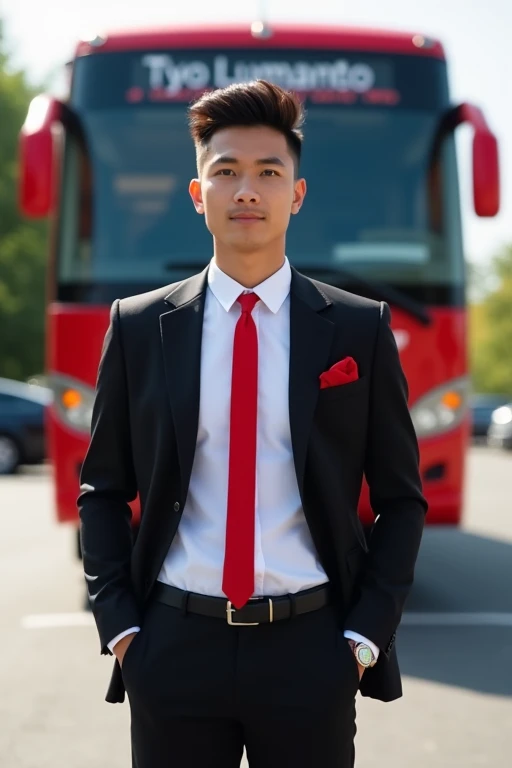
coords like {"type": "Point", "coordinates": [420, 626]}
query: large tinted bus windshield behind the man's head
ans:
{"type": "Point", "coordinates": [379, 205]}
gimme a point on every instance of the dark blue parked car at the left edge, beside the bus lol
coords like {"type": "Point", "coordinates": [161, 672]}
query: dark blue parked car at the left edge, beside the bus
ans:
{"type": "Point", "coordinates": [22, 438]}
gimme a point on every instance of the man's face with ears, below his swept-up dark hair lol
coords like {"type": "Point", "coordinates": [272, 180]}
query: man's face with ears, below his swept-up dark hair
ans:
{"type": "Point", "coordinates": [247, 188]}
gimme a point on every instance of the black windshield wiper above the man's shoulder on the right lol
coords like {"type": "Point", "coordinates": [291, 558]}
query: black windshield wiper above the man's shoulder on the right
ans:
{"type": "Point", "coordinates": [375, 289]}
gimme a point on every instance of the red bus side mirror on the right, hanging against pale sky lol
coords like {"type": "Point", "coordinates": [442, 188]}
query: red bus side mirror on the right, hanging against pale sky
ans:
{"type": "Point", "coordinates": [486, 174]}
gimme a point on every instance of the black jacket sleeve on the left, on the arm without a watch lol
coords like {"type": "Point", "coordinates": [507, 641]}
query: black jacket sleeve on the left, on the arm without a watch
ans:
{"type": "Point", "coordinates": [107, 485]}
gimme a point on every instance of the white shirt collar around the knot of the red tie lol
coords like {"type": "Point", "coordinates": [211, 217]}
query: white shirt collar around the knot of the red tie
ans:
{"type": "Point", "coordinates": [272, 291]}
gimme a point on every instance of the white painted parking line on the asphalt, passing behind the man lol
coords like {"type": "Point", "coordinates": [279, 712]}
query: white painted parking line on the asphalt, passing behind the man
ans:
{"type": "Point", "coordinates": [412, 619]}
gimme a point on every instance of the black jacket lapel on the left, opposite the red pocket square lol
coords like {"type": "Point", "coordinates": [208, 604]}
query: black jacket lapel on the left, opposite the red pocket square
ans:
{"type": "Point", "coordinates": [181, 333]}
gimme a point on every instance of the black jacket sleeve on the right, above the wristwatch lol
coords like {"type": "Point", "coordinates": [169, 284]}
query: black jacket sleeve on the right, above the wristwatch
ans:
{"type": "Point", "coordinates": [393, 476]}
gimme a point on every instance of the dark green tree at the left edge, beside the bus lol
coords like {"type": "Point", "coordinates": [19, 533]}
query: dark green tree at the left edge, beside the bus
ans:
{"type": "Point", "coordinates": [22, 243]}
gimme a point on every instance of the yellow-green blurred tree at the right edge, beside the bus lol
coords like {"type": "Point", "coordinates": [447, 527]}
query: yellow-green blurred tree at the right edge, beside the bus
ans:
{"type": "Point", "coordinates": [491, 331]}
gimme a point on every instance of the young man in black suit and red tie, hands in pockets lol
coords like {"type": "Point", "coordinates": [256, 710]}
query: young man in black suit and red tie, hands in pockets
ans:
{"type": "Point", "coordinates": [243, 406]}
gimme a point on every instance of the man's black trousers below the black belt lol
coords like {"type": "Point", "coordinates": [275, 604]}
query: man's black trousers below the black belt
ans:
{"type": "Point", "coordinates": [200, 690]}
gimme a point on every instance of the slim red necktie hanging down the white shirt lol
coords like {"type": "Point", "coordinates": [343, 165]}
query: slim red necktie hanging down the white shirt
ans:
{"type": "Point", "coordinates": [238, 577]}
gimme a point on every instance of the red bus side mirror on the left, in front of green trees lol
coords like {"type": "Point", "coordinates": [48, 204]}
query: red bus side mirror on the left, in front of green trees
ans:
{"type": "Point", "coordinates": [37, 157]}
